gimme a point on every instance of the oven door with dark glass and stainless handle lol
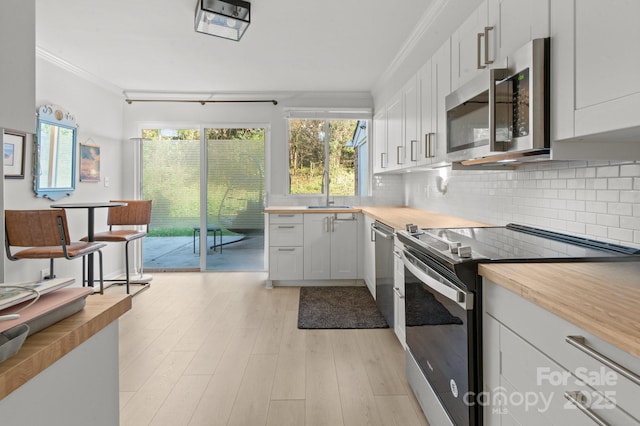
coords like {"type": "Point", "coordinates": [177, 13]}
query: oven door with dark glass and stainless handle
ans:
{"type": "Point", "coordinates": [440, 332]}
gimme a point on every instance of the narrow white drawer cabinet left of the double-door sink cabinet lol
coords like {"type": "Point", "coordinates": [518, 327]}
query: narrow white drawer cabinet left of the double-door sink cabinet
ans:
{"type": "Point", "coordinates": [286, 240]}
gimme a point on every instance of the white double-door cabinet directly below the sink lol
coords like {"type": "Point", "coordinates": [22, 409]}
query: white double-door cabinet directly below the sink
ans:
{"type": "Point", "coordinates": [331, 246]}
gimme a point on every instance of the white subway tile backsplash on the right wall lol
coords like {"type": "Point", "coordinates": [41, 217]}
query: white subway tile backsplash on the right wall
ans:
{"type": "Point", "coordinates": [600, 200]}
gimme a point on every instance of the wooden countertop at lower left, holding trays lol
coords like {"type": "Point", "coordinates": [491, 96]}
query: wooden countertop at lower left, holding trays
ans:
{"type": "Point", "coordinates": [46, 347]}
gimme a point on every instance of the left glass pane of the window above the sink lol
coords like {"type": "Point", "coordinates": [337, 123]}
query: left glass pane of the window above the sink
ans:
{"type": "Point", "coordinates": [306, 156]}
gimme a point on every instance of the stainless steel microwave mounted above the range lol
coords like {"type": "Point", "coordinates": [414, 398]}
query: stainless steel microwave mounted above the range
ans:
{"type": "Point", "coordinates": [503, 114]}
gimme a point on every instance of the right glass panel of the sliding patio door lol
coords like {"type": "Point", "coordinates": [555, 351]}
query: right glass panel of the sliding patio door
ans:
{"type": "Point", "coordinates": [234, 198]}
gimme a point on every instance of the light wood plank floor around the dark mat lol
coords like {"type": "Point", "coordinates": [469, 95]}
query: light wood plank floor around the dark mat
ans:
{"type": "Point", "coordinates": [220, 349]}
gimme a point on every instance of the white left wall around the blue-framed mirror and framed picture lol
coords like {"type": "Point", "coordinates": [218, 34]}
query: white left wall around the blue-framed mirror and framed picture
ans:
{"type": "Point", "coordinates": [98, 113]}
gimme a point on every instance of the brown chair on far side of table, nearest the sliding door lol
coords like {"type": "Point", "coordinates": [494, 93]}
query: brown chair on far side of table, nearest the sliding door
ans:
{"type": "Point", "coordinates": [127, 221]}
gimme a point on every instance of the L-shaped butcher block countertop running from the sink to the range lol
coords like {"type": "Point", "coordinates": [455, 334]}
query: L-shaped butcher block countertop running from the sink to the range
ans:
{"type": "Point", "coordinates": [396, 217]}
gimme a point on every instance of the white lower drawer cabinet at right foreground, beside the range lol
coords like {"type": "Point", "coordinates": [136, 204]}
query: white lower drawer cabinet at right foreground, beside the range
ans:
{"type": "Point", "coordinates": [534, 375]}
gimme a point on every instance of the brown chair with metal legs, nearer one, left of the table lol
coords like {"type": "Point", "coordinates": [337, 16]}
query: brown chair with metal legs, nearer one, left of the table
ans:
{"type": "Point", "coordinates": [46, 234]}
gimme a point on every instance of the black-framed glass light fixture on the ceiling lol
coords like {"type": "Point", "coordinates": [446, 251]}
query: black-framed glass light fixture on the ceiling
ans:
{"type": "Point", "coordinates": [223, 18]}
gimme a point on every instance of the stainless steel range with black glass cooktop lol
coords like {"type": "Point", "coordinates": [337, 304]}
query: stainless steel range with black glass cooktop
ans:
{"type": "Point", "coordinates": [443, 295]}
